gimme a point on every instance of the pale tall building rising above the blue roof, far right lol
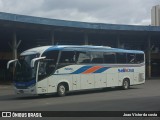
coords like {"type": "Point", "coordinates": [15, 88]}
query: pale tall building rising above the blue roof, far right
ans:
{"type": "Point", "coordinates": [155, 15]}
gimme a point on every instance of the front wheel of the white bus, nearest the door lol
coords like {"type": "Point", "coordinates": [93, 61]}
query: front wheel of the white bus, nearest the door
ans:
{"type": "Point", "coordinates": [61, 90]}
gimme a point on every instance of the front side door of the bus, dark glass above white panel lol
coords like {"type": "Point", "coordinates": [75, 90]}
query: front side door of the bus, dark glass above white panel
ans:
{"type": "Point", "coordinates": [46, 83]}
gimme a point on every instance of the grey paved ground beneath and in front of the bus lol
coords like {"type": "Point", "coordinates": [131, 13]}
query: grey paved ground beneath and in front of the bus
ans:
{"type": "Point", "coordinates": [139, 98]}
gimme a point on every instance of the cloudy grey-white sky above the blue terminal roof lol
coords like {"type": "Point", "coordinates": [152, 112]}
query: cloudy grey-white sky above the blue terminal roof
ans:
{"type": "Point", "coordinates": [134, 12]}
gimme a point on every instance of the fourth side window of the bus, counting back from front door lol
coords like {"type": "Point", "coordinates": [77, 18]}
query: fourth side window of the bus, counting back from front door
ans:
{"type": "Point", "coordinates": [109, 57]}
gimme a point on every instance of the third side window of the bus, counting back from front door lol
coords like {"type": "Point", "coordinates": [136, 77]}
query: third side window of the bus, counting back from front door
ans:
{"type": "Point", "coordinates": [96, 57]}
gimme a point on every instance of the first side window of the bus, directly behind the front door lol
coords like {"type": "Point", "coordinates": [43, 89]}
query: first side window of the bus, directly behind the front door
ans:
{"type": "Point", "coordinates": [67, 57]}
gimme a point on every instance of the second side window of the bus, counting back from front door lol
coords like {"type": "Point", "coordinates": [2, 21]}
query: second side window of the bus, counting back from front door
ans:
{"type": "Point", "coordinates": [82, 57]}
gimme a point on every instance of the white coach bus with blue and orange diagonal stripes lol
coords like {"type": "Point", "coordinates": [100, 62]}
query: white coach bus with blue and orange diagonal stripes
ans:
{"type": "Point", "coordinates": [64, 68]}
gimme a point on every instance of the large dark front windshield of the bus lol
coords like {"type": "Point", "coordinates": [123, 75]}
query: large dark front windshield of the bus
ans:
{"type": "Point", "coordinates": [23, 70]}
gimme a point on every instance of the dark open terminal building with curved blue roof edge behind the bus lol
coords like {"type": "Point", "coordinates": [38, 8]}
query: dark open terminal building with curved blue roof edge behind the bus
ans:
{"type": "Point", "coordinates": [19, 32]}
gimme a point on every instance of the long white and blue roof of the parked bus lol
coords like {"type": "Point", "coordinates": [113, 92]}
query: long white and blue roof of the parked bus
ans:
{"type": "Point", "coordinates": [40, 50]}
